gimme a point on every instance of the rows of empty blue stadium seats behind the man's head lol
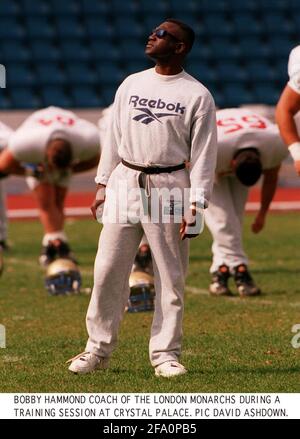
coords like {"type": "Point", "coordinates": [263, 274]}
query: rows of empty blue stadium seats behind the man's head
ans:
{"type": "Point", "coordinates": [74, 53]}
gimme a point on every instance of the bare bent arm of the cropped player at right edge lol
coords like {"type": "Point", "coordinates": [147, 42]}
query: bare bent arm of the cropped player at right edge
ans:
{"type": "Point", "coordinates": [287, 107]}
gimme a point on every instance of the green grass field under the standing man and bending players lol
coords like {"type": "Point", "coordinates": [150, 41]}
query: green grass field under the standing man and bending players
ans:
{"type": "Point", "coordinates": [230, 344]}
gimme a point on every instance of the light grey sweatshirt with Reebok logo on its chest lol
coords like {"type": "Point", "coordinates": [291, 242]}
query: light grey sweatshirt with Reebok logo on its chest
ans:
{"type": "Point", "coordinates": [163, 120]}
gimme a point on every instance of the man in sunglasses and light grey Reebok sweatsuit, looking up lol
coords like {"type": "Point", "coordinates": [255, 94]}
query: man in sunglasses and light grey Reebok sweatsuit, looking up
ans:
{"type": "Point", "coordinates": [162, 118]}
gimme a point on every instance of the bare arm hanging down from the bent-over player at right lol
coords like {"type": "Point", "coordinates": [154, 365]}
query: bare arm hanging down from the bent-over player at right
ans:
{"type": "Point", "coordinates": [268, 188]}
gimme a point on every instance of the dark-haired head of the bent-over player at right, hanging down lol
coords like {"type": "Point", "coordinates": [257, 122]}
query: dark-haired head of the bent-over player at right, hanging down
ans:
{"type": "Point", "coordinates": [248, 167]}
